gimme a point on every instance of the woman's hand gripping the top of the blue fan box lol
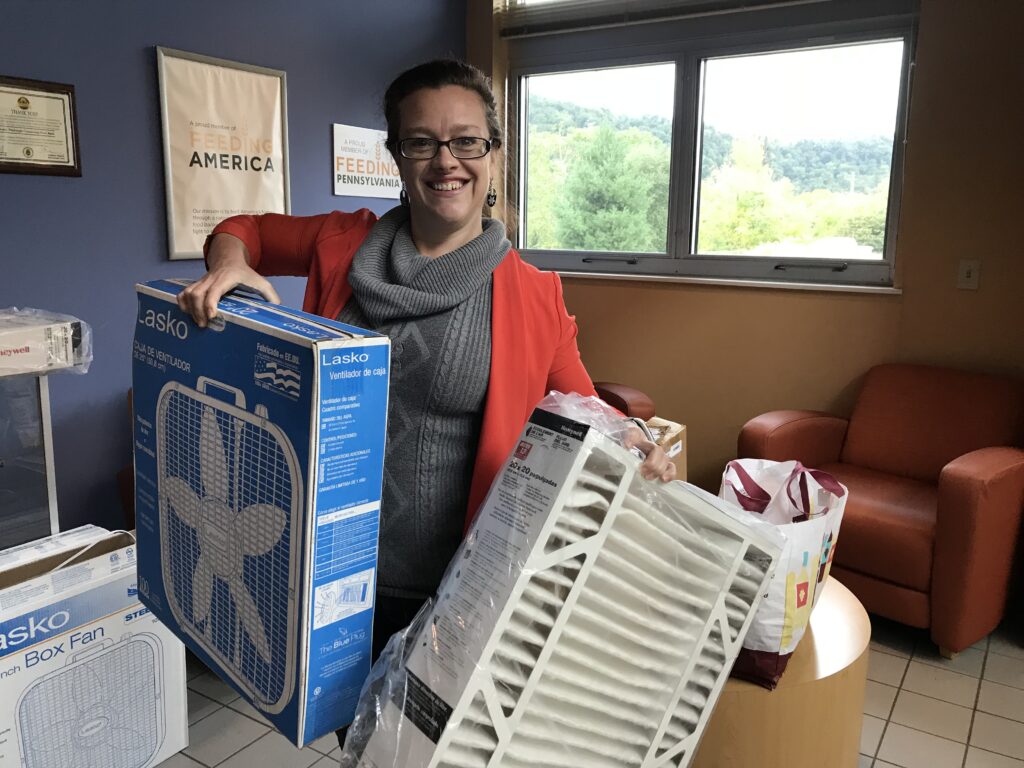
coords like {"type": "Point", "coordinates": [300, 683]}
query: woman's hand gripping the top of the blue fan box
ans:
{"type": "Point", "coordinates": [229, 268]}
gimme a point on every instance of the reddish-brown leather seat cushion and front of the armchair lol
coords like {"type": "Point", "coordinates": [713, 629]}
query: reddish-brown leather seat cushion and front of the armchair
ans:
{"type": "Point", "coordinates": [888, 527]}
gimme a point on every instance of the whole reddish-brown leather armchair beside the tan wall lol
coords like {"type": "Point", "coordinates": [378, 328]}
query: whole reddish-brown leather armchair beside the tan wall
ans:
{"type": "Point", "coordinates": [936, 492]}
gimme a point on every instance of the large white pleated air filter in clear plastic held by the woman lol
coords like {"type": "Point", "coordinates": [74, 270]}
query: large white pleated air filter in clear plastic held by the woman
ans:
{"type": "Point", "coordinates": [590, 618]}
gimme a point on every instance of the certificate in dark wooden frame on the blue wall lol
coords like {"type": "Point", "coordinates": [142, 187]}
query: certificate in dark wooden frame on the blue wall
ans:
{"type": "Point", "coordinates": [38, 129]}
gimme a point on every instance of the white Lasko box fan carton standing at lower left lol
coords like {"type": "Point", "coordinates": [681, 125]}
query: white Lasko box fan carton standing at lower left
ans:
{"type": "Point", "coordinates": [89, 676]}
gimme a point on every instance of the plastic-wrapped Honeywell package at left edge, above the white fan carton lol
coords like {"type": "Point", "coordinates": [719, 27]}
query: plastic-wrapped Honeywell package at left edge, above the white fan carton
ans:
{"type": "Point", "coordinates": [36, 342]}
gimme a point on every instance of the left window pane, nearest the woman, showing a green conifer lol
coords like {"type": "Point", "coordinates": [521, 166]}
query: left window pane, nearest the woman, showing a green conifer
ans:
{"type": "Point", "coordinates": [598, 150]}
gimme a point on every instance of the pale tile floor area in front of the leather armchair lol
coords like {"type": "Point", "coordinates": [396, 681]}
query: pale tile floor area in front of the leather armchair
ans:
{"type": "Point", "coordinates": [922, 711]}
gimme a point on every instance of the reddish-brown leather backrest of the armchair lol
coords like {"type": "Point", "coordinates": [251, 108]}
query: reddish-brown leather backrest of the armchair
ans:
{"type": "Point", "coordinates": [914, 420]}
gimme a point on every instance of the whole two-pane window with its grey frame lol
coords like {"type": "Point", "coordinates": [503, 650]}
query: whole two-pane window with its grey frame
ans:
{"type": "Point", "coordinates": [764, 145]}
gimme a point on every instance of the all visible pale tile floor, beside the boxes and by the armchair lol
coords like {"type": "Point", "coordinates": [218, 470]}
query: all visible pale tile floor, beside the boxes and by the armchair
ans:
{"type": "Point", "coordinates": [921, 711]}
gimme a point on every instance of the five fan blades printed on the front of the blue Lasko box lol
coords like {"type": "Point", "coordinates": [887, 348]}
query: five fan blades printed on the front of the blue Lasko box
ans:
{"type": "Point", "coordinates": [226, 534]}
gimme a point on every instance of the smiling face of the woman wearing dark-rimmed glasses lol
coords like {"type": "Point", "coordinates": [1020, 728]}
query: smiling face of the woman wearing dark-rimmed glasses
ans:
{"type": "Point", "coordinates": [446, 194]}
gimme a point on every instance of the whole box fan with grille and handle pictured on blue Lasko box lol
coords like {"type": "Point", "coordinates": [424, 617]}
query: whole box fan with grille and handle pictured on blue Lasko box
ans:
{"type": "Point", "coordinates": [230, 502]}
